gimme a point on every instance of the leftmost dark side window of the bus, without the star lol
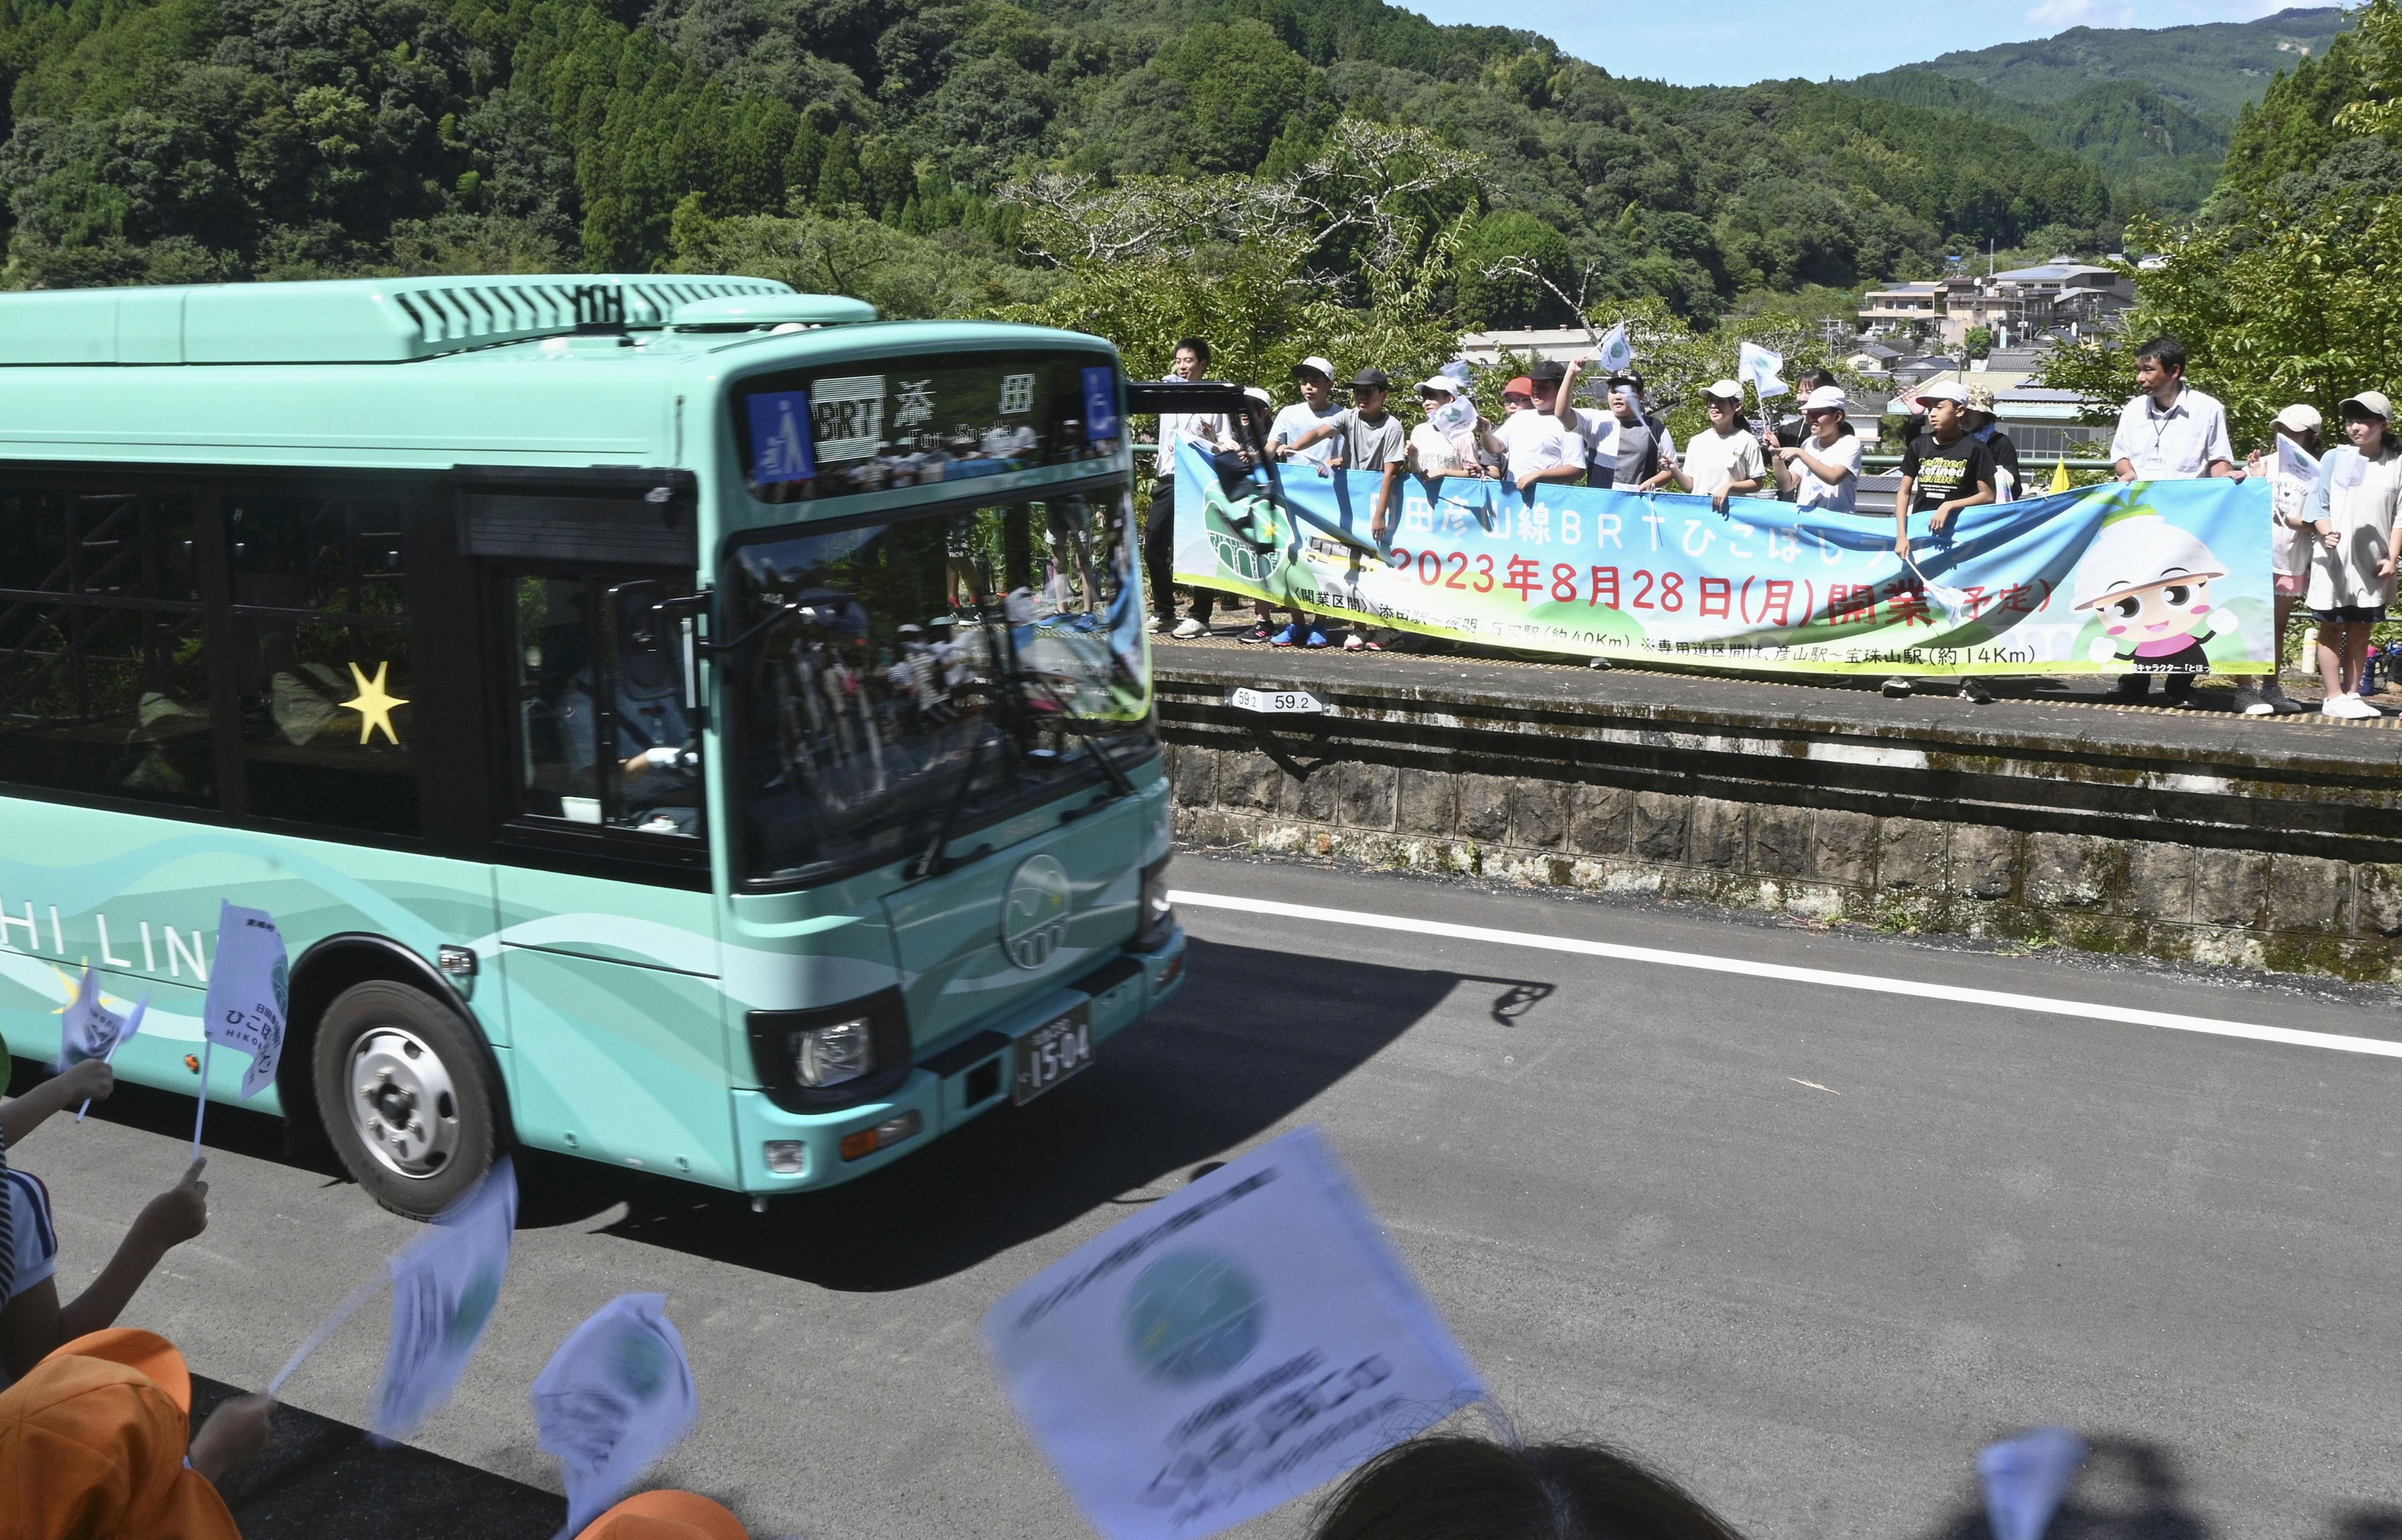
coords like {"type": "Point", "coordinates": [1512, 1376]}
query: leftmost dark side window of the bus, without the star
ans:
{"type": "Point", "coordinates": [104, 681]}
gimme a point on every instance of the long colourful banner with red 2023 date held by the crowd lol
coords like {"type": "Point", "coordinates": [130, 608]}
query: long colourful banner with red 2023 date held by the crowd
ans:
{"type": "Point", "coordinates": [2144, 578]}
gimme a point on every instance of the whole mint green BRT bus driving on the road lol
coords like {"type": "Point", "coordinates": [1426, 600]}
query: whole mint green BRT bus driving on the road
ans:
{"type": "Point", "coordinates": [676, 722]}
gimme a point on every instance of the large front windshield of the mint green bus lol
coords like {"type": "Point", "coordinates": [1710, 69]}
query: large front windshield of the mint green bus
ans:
{"type": "Point", "coordinates": [928, 674]}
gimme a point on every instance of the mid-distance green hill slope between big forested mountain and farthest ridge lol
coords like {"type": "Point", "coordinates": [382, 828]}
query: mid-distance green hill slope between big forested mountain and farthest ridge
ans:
{"type": "Point", "coordinates": [2156, 153]}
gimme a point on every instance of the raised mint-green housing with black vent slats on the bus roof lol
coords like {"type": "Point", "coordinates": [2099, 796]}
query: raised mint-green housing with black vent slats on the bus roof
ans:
{"type": "Point", "coordinates": [345, 321]}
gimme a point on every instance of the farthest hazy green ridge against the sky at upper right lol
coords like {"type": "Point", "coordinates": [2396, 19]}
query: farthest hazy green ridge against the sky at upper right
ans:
{"type": "Point", "coordinates": [2213, 68]}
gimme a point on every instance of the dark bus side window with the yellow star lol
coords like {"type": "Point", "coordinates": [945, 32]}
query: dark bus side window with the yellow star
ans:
{"type": "Point", "coordinates": [321, 631]}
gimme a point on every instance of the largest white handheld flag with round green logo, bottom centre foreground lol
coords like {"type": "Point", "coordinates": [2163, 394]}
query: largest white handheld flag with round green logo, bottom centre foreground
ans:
{"type": "Point", "coordinates": [1229, 1349]}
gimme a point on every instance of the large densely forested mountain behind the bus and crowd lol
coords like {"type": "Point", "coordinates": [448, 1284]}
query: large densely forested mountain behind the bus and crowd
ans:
{"type": "Point", "coordinates": [169, 141]}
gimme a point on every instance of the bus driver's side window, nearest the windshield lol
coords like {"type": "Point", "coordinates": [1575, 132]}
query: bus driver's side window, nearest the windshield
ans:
{"type": "Point", "coordinates": [602, 722]}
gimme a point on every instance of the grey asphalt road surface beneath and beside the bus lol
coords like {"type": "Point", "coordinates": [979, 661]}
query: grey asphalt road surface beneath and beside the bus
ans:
{"type": "Point", "coordinates": [1803, 1246]}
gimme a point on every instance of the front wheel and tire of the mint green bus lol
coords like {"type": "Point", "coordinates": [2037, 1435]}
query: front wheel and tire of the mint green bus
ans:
{"type": "Point", "coordinates": [405, 1097]}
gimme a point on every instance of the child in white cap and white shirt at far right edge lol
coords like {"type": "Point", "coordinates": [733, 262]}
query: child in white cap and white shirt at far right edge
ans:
{"type": "Point", "coordinates": [2353, 573]}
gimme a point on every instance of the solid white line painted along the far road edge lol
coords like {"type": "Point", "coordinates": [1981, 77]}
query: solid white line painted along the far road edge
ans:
{"type": "Point", "coordinates": [1805, 977]}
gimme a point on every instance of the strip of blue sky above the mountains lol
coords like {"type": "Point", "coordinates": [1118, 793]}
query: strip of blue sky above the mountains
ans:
{"type": "Point", "coordinates": [1745, 42]}
